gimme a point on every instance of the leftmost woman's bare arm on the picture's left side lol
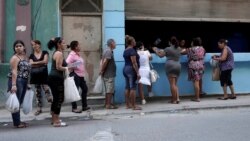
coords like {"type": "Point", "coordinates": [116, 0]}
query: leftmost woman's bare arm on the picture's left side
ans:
{"type": "Point", "coordinates": [13, 64]}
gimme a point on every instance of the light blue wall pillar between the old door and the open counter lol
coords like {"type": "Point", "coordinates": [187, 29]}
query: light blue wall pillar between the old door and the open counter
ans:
{"type": "Point", "coordinates": [114, 27]}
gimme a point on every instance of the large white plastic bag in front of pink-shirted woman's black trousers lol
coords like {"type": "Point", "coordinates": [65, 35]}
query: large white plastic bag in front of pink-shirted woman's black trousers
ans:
{"type": "Point", "coordinates": [71, 92]}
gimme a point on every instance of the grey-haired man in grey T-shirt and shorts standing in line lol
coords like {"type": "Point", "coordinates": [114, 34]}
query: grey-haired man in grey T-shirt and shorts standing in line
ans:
{"type": "Point", "coordinates": [108, 71]}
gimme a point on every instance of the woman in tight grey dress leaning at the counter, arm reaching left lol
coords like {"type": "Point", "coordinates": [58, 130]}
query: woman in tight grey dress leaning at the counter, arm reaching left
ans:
{"type": "Point", "coordinates": [172, 66]}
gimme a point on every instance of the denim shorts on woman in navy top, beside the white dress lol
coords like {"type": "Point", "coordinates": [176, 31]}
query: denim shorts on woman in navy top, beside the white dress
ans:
{"type": "Point", "coordinates": [130, 77]}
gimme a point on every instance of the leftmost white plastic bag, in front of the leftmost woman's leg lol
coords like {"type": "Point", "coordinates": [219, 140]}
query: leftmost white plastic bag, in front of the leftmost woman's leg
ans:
{"type": "Point", "coordinates": [12, 103]}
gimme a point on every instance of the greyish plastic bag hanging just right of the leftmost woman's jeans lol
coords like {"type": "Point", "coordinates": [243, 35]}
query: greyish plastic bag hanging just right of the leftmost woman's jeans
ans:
{"type": "Point", "coordinates": [28, 101]}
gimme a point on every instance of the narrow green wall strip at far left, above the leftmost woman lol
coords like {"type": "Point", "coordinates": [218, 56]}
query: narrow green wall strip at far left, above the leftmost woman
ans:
{"type": "Point", "coordinates": [10, 28]}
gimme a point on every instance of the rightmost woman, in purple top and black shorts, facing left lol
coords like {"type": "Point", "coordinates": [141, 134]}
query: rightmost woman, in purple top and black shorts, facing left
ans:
{"type": "Point", "coordinates": [226, 65]}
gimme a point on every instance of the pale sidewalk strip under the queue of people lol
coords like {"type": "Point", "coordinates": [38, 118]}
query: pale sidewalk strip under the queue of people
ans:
{"type": "Point", "coordinates": [153, 105]}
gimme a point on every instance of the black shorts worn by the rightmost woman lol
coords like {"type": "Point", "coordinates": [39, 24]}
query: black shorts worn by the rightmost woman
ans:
{"type": "Point", "coordinates": [226, 78]}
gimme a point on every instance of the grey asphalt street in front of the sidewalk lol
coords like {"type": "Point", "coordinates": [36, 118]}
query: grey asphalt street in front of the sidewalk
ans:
{"type": "Point", "coordinates": [196, 125]}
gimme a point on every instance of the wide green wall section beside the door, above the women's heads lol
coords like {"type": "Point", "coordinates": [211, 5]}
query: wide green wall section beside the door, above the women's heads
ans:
{"type": "Point", "coordinates": [45, 20]}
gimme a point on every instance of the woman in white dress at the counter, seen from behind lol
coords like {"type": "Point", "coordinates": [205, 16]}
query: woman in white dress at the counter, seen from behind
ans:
{"type": "Point", "coordinates": [144, 71]}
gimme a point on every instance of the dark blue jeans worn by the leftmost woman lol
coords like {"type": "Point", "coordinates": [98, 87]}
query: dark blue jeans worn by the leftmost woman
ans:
{"type": "Point", "coordinates": [21, 85]}
